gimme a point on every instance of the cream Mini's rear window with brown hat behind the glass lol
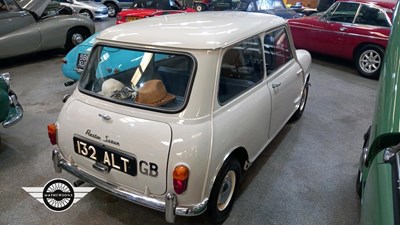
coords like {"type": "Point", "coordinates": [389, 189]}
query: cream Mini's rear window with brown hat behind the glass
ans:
{"type": "Point", "coordinates": [138, 78]}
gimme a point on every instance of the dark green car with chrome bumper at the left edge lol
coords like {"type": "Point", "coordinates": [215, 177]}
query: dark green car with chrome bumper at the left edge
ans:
{"type": "Point", "coordinates": [10, 110]}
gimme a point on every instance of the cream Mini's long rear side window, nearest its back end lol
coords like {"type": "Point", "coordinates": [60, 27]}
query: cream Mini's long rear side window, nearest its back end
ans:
{"type": "Point", "coordinates": [241, 69]}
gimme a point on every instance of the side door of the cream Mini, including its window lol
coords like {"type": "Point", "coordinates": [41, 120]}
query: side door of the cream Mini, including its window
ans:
{"type": "Point", "coordinates": [285, 79]}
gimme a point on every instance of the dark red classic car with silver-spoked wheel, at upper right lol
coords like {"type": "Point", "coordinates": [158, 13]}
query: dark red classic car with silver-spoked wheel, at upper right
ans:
{"type": "Point", "coordinates": [357, 30]}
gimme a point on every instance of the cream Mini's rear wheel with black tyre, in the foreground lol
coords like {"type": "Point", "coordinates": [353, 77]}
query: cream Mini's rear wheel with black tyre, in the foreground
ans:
{"type": "Point", "coordinates": [224, 191]}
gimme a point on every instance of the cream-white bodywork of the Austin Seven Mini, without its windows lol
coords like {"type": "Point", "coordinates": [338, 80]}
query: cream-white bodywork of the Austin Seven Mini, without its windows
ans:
{"type": "Point", "coordinates": [204, 132]}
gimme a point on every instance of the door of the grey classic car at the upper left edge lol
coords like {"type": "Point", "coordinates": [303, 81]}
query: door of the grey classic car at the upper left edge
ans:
{"type": "Point", "coordinates": [19, 33]}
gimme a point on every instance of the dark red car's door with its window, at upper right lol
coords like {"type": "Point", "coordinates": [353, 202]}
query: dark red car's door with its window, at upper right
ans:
{"type": "Point", "coordinates": [331, 30]}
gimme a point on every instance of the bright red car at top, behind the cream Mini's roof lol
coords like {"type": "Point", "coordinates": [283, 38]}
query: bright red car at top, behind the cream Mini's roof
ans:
{"type": "Point", "coordinates": [147, 8]}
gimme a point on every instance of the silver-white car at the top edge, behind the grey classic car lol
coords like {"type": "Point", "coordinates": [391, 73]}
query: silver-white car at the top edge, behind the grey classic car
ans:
{"type": "Point", "coordinates": [91, 9]}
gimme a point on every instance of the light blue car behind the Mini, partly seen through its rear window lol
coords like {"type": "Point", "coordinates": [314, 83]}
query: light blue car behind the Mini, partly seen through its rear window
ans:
{"type": "Point", "coordinates": [75, 61]}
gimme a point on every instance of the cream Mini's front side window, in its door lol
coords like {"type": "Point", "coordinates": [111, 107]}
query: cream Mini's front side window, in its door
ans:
{"type": "Point", "coordinates": [277, 50]}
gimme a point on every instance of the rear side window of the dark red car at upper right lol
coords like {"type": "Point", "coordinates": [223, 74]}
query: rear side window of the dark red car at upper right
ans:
{"type": "Point", "coordinates": [372, 16]}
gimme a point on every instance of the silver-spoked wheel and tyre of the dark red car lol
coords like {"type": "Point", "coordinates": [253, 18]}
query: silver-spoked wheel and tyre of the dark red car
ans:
{"type": "Point", "coordinates": [368, 60]}
